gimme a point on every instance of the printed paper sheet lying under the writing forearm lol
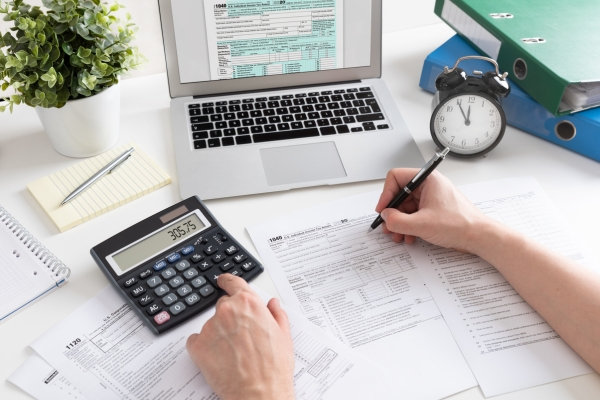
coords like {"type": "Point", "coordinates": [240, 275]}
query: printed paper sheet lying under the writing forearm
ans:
{"type": "Point", "coordinates": [506, 343]}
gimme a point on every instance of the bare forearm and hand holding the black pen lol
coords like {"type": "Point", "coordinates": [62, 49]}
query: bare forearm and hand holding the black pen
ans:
{"type": "Point", "coordinates": [566, 295]}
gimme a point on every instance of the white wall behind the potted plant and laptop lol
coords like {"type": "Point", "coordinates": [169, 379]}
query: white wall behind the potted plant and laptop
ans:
{"type": "Point", "coordinates": [397, 14]}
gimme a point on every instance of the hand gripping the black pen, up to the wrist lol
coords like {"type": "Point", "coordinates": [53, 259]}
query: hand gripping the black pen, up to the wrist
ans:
{"type": "Point", "coordinates": [436, 211]}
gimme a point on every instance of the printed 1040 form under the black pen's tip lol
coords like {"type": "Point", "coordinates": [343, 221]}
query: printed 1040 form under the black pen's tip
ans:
{"type": "Point", "coordinates": [366, 290]}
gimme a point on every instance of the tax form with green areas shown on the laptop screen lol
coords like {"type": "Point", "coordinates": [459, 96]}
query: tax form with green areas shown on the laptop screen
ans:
{"type": "Point", "coordinates": [270, 37]}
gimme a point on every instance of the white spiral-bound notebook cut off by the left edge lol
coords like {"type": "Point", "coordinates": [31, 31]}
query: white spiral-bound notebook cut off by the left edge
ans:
{"type": "Point", "coordinates": [28, 269]}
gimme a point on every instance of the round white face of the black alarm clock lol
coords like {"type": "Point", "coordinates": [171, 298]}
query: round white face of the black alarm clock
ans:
{"type": "Point", "coordinates": [469, 124]}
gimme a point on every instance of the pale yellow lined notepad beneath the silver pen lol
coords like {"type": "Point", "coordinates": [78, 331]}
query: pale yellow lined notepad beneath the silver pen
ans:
{"type": "Point", "coordinates": [135, 177]}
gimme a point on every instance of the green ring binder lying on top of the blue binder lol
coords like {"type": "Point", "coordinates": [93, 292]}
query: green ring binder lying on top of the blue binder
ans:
{"type": "Point", "coordinates": [550, 48]}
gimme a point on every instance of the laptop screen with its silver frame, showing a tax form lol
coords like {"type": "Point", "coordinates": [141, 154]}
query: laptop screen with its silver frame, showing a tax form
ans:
{"type": "Point", "coordinates": [217, 46]}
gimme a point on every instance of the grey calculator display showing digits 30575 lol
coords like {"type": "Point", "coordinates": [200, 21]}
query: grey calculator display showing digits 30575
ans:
{"type": "Point", "coordinates": [157, 242]}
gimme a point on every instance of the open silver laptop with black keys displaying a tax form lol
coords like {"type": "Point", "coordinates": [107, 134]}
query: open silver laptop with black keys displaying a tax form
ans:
{"type": "Point", "coordinates": [271, 95]}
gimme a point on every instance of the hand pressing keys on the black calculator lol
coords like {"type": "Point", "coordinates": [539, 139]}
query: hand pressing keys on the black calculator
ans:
{"type": "Point", "coordinates": [245, 350]}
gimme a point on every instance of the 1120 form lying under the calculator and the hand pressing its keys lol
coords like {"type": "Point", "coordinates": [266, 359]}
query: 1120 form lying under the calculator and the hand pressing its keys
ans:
{"type": "Point", "coordinates": [104, 347]}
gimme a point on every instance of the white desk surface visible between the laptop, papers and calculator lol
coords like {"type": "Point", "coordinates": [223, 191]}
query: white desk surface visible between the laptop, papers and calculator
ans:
{"type": "Point", "coordinates": [572, 181]}
